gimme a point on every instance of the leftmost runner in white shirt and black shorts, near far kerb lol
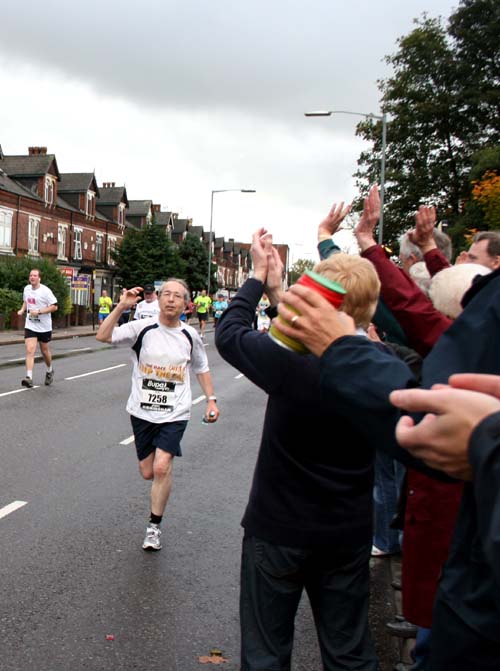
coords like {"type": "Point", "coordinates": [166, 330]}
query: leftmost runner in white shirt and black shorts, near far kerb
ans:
{"type": "Point", "coordinates": [38, 303]}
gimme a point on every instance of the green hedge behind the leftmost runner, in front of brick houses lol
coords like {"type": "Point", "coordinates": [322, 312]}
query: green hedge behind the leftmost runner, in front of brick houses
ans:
{"type": "Point", "coordinates": [14, 272]}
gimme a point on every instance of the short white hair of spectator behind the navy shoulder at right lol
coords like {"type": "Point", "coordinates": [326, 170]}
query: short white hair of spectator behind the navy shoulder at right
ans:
{"type": "Point", "coordinates": [450, 284]}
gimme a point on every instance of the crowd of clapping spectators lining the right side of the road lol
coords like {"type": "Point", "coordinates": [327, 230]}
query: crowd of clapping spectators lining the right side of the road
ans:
{"type": "Point", "coordinates": [412, 402]}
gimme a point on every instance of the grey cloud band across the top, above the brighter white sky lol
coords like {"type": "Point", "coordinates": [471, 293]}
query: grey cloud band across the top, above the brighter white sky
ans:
{"type": "Point", "coordinates": [268, 56]}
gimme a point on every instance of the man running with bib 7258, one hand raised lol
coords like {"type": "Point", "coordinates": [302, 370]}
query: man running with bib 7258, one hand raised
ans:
{"type": "Point", "coordinates": [164, 350]}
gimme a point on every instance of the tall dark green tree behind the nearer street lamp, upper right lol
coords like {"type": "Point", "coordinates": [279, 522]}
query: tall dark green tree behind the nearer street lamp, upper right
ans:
{"type": "Point", "coordinates": [443, 105]}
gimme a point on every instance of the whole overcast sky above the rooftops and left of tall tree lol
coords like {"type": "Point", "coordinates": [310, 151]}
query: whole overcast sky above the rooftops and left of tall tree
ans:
{"type": "Point", "coordinates": [176, 98]}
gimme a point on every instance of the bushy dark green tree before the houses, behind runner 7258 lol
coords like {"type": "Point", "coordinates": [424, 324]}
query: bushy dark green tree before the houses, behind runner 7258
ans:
{"type": "Point", "coordinates": [147, 255]}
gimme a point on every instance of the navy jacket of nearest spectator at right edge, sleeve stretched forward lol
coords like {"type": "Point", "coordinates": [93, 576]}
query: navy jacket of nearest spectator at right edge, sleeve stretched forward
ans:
{"type": "Point", "coordinates": [470, 583]}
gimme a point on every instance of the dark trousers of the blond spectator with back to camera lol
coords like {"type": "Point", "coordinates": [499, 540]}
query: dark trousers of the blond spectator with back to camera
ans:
{"type": "Point", "coordinates": [337, 584]}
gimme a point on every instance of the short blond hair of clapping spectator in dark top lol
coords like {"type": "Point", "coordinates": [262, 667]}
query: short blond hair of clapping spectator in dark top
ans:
{"type": "Point", "coordinates": [359, 278]}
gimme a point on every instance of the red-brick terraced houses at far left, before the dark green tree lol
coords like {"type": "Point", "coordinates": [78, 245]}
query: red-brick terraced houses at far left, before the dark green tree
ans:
{"type": "Point", "coordinates": [45, 213]}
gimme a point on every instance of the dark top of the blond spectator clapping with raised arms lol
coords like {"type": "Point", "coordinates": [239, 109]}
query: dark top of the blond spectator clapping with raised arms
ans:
{"type": "Point", "coordinates": [313, 478]}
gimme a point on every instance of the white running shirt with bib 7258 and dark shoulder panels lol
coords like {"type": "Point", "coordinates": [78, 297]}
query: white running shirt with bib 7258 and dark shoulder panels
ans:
{"type": "Point", "coordinates": [161, 389]}
